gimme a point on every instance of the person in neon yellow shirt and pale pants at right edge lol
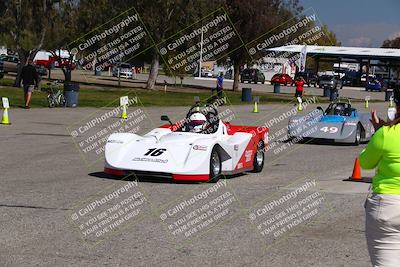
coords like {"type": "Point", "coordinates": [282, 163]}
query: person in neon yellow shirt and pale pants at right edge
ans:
{"type": "Point", "coordinates": [382, 207]}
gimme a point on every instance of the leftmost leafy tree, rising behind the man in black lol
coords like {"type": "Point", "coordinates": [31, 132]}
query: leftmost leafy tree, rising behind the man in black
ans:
{"type": "Point", "coordinates": [23, 28]}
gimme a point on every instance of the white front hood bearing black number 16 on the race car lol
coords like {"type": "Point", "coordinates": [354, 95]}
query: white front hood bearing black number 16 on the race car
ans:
{"type": "Point", "coordinates": [159, 151]}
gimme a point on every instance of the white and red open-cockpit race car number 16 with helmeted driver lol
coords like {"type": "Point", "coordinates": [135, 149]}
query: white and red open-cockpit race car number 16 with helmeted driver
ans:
{"type": "Point", "coordinates": [199, 148]}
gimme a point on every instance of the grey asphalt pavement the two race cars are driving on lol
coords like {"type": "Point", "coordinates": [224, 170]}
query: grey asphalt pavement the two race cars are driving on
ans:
{"type": "Point", "coordinates": [296, 212]}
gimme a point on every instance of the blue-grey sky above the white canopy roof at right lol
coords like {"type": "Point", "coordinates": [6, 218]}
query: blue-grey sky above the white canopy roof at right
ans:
{"type": "Point", "coordinates": [363, 23]}
